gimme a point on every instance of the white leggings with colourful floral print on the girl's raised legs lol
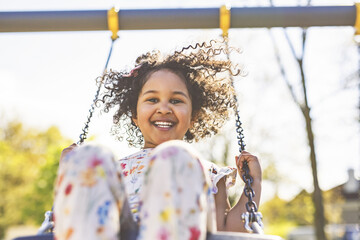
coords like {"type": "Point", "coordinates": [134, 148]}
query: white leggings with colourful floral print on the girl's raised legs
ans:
{"type": "Point", "coordinates": [176, 202]}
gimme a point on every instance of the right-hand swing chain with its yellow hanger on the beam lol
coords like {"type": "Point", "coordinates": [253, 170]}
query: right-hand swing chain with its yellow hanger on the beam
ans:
{"type": "Point", "coordinates": [252, 216]}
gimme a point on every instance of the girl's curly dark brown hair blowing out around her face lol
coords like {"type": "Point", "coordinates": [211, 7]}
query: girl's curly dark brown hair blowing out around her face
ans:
{"type": "Point", "coordinates": [206, 78]}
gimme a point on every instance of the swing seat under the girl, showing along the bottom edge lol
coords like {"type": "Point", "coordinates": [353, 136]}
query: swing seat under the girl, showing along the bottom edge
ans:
{"type": "Point", "coordinates": [210, 236]}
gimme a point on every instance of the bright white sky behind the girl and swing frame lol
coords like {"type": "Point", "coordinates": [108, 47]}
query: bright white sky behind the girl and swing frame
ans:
{"type": "Point", "coordinates": [49, 79]}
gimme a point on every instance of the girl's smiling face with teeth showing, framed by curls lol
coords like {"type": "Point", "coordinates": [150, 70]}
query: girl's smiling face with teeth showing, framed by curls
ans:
{"type": "Point", "coordinates": [164, 108]}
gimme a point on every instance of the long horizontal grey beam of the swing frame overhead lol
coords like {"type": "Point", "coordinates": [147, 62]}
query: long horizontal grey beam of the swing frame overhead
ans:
{"type": "Point", "coordinates": [194, 18]}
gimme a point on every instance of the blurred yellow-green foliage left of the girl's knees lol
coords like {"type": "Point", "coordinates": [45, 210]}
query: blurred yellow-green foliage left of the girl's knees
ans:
{"type": "Point", "coordinates": [28, 165]}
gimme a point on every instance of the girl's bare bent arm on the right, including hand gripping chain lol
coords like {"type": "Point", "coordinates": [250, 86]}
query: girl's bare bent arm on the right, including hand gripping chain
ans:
{"type": "Point", "coordinates": [230, 219]}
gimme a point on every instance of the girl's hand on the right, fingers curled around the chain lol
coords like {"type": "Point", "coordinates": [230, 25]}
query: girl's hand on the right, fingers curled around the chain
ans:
{"type": "Point", "coordinates": [253, 163]}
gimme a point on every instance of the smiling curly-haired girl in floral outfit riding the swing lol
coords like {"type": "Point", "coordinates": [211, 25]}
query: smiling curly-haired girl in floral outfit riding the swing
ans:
{"type": "Point", "coordinates": [164, 102]}
